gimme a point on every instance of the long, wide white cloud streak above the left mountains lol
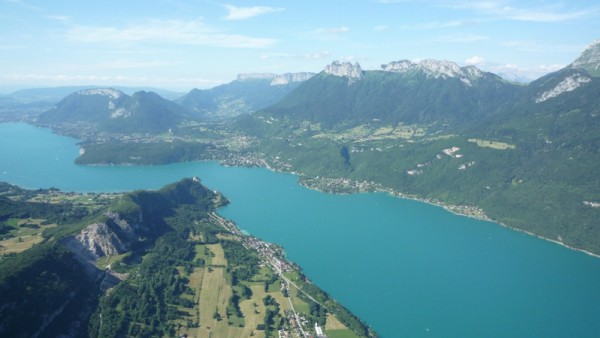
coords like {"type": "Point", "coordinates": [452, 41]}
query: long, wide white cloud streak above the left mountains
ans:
{"type": "Point", "coordinates": [193, 32]}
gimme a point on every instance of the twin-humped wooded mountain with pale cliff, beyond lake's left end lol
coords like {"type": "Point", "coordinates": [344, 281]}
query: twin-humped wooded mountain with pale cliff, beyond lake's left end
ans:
{"type": "Point", "coordinates": [112, 110]}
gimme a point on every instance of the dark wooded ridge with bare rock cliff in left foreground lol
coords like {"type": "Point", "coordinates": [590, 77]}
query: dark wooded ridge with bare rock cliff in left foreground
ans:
{"type": "Point", "coordinates": [52, 288]}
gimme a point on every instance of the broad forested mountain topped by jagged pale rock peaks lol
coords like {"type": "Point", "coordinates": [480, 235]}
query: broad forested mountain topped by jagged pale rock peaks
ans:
{"type": "Point", "coordinates": [426, 92]}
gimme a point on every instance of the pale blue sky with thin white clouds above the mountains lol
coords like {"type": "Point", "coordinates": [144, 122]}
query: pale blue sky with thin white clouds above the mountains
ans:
{"type": "Point", "coordinates": [180, 45]}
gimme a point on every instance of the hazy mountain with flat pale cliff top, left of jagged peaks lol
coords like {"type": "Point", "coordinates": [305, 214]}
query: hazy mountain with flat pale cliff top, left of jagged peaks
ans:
{"type": "Point", "coordinates": [248, 93]}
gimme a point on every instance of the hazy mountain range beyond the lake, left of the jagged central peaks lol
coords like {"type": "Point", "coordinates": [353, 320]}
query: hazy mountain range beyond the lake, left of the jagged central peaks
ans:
{"type": "Point", "coordinates": [112, 110]}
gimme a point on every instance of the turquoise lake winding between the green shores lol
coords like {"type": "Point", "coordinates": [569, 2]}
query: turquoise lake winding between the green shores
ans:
{"type": "Point", "coordinates": [407, 268]}
